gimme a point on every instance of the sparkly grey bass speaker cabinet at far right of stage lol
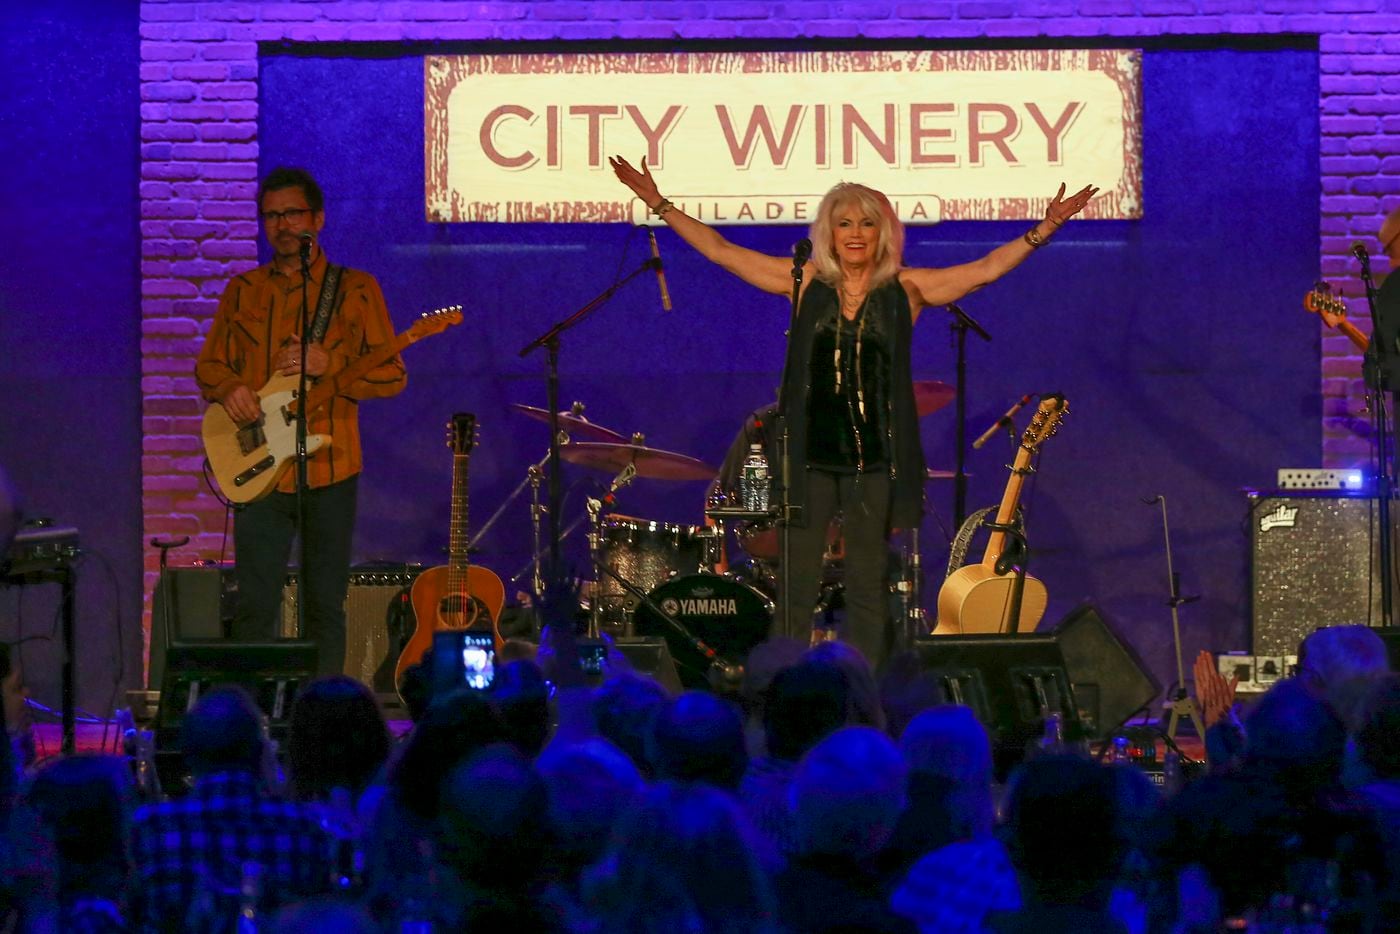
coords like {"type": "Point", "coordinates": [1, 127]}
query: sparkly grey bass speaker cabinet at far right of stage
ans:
{"type": "Point", "coordinates": [1312, 564]}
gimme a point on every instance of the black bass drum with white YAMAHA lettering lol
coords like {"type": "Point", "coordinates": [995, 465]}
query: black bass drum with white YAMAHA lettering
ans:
{"type": "Point", "coordinates": [729, 617]}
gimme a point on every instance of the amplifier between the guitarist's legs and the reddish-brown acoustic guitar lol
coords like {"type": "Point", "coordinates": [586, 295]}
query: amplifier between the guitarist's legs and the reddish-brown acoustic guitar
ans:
{"type": "Point", "coordinates": [379, 621]}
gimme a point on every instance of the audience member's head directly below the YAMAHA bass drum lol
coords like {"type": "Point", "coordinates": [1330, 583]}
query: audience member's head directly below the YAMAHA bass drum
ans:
{"type": "Point", "coordinates": [698, 737]}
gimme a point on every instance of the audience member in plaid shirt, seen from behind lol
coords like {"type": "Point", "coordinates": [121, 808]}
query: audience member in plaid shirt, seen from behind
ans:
{"type": "Point", "coordinates": [191, 853]}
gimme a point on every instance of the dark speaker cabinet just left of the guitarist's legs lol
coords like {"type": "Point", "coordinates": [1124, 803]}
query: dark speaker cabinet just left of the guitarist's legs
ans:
{"type": "Point", "coordinates": [199, 607]}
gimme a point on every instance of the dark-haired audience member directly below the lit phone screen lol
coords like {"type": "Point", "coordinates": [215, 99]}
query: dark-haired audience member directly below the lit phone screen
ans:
{"type": "Point", "coordinates": [400, 844]}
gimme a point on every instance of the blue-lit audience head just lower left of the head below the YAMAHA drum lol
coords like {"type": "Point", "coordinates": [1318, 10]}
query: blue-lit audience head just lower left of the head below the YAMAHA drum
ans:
{"type": "Point", "coordinates": [589, 785]}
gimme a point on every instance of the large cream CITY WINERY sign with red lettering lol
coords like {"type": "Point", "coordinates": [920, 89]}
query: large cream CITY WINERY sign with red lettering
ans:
{"type": "Point", "coordinates": [758, 138]}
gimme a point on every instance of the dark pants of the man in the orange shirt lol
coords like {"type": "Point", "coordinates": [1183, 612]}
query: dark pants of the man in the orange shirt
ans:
{"type": "Point", "coordinates": [264, 534]}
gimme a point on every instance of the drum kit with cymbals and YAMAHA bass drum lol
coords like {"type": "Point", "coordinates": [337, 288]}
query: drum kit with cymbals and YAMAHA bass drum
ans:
{"type": "Point", "coordinates": [646, 572]}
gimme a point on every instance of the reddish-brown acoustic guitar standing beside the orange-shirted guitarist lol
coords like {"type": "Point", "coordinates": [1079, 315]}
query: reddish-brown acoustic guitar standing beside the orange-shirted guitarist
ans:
{"type": "Point", "coordinates": [458, 594]}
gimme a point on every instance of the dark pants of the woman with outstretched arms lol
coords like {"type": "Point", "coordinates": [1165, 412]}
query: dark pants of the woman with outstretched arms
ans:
{"type": "Point", "coordinates": [864, 505]}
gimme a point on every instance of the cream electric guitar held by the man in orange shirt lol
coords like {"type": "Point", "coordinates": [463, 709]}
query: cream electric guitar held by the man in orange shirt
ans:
{"type": "Point", "coordinates": [248, 461]}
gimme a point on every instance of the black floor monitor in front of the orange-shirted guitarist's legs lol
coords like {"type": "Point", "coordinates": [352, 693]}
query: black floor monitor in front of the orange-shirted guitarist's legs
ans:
{"type": "Point", "coordinates": [272, 673]}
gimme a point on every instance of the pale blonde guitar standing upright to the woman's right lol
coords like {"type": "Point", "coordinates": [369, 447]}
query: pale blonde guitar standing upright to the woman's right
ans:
{"type": "Point", "coordinates": [976, 599]}
